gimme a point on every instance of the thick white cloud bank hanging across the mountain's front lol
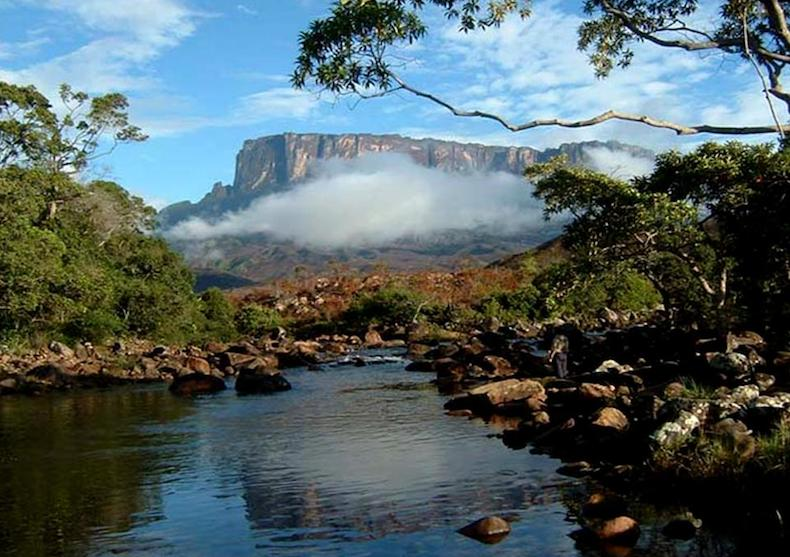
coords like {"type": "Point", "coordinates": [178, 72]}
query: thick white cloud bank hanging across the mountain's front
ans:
{"type": "Point", "coordinates": [376, 199]}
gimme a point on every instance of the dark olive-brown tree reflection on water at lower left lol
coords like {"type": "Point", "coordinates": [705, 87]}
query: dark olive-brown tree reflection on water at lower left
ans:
{"type": "Point", "coordinates": [75, 464]}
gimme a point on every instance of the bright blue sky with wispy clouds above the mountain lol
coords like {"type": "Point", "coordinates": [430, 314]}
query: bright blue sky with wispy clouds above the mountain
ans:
{"type": "Point", "coordinates": [204, 76]}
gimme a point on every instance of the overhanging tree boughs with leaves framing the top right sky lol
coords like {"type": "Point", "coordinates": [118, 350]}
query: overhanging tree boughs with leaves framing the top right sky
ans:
{"type": "Point", "coordinates": [347, 52]}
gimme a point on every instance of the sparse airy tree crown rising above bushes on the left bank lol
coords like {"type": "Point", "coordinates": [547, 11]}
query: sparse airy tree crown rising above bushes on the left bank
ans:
{"type": "Point", "coordinates": [33, 134]}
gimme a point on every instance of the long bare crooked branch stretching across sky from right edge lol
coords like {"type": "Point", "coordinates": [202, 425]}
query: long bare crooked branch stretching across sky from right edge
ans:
{"type": "Point", "coordinates": [599, 119]}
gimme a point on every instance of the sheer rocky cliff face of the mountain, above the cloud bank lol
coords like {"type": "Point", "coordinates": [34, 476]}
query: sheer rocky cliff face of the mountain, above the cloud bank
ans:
{"type": "Point", "coordinates": [275, 163]}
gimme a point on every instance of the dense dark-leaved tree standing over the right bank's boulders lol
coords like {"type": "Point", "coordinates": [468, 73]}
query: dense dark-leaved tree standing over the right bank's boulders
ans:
{"type": "Point", "coordinates": [708, 229]}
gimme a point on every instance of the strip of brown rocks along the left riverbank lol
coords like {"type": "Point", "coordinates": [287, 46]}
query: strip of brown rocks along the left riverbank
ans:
{"type": "Point", "coordinates": [190, 369]}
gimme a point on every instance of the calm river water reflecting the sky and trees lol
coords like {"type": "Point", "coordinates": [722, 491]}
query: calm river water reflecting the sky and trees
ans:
{"type": "Point", "coordinates": [352, 461]}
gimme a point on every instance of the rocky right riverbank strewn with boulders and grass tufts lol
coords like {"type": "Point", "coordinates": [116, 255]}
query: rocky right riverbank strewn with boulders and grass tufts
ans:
{"type": "Point", "coordinates": [644, 409]}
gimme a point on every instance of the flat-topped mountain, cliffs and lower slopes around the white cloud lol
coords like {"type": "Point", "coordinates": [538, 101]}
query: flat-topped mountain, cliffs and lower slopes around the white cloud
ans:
{"type": "Point", "coordinates": [278, 163]}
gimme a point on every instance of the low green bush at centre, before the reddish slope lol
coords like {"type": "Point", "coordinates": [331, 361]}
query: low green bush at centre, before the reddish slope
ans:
{"type": "Point", "coordinates": [389, 306]}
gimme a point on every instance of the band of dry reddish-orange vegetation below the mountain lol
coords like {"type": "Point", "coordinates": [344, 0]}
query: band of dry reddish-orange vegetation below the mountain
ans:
{"type": "Point", "coordinates": [326, 297]}
